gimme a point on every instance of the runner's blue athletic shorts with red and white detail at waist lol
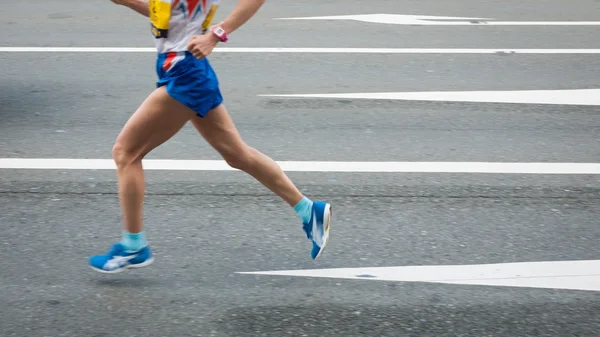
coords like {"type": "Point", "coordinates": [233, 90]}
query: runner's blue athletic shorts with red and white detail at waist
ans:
{"type": "Point", "coordinates": [190, 81]}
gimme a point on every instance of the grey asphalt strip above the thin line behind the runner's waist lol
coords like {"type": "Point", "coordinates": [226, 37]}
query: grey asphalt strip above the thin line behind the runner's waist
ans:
{"type": "Point", "coordinates": [79, 24]}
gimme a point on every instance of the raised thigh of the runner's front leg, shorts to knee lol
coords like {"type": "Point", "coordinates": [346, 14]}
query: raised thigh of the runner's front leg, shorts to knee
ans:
{"type": "Point", "coordinates": [157, 119]}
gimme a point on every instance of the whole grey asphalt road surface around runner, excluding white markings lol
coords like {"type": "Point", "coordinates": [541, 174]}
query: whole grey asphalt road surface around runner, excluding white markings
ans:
{"type": "Point", "coordinates": [207, 227]}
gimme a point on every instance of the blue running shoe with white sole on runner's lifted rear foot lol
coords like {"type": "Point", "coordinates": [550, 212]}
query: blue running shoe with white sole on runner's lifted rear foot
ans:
{"type": "Point", "coordinates": [317, 229]}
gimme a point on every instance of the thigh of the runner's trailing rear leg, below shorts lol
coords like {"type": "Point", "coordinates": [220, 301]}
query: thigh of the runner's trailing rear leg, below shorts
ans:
{"type": "Point", "coordinates": [219, 131]}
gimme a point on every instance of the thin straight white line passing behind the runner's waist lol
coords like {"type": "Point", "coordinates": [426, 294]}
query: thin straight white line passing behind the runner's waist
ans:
{"type": "Point", "coordinates": [307, 50]}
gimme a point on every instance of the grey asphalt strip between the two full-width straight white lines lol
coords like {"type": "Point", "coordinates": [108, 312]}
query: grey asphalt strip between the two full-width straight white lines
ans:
{"type": "Point", "coordinates": [88, 105]}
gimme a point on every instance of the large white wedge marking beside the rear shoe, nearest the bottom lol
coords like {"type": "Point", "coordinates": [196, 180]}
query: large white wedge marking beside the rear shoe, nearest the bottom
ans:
{"type": "Point", "coordinates": [574, 275]}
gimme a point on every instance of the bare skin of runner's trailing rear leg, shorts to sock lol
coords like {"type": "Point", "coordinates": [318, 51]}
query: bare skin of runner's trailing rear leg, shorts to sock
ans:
{"type": "Point", "coordinates": [220, 132]}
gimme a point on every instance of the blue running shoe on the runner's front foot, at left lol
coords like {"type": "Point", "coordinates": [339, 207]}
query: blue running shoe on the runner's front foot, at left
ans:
{"type": "Point", "coordinates": [118, 259]}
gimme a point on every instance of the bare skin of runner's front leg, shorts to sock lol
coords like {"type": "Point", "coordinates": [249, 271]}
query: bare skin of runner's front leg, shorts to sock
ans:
{"type": "Point", "coordinates": [156, 120]}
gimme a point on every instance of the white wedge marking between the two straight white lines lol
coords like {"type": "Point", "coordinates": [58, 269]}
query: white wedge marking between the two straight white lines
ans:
{"type": "Point", "coordinates": [573, 97]}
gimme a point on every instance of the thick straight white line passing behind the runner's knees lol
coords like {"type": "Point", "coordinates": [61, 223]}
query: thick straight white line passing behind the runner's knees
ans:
{"type": "Point", "coordinates": [312, 166]}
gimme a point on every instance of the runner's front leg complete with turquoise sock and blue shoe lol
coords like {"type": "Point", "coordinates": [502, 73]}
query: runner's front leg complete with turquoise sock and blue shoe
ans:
{"type": "Point", "coordinates": [157, 119]}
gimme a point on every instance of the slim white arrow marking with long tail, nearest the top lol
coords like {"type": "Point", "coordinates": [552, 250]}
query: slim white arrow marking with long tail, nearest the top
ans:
{"type": "Point", "coordinates": [399, 19]}
